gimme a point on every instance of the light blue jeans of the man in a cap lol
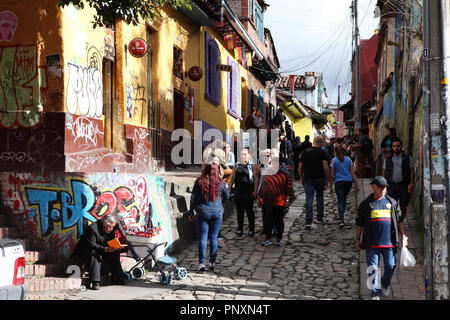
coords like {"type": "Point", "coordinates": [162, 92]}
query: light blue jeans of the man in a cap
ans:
{"type": "Point", "coordinates": [373, 272]}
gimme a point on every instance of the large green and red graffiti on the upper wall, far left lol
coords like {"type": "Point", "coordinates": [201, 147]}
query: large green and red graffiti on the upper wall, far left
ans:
{"type": "Point", "coordinates": [22, 84]}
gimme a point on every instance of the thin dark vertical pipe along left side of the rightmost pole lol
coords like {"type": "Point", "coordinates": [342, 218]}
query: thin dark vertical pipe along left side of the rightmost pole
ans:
{"type": "Point", "coordinates": [427, 216]}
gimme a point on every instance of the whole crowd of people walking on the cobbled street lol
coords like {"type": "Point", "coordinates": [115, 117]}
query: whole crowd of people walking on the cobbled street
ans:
{"type": "Point", "coordinates": [336, 163]}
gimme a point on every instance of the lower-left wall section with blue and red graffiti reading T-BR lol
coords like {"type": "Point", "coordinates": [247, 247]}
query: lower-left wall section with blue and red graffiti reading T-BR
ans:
{"type": "Point", "coordinates": [57, 208]}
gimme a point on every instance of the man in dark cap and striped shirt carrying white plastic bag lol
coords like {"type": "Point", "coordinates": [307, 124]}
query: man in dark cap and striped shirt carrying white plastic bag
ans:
{"type": "Point", "coordinates": [379, 220]}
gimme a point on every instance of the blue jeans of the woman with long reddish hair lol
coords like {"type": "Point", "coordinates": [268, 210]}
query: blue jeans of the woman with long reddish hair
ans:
{"type": "Point", "coordinates": [208, 224]}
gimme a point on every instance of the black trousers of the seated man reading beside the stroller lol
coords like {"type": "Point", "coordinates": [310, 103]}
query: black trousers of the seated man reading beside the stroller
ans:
{"type": "Point", "coordinates": [108, 260]}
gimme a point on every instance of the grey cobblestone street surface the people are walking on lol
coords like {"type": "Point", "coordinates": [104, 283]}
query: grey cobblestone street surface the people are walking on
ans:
{"type": "Point", "coordinates": [317, 264]}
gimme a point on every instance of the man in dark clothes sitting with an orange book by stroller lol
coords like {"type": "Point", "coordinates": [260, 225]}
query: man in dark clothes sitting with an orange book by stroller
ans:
{"type": "Point", "coordinates": [93, 245]}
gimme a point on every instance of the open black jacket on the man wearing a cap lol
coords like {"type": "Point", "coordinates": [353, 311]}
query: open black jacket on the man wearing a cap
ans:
{"type": "Point", "coordinates": [363, 220]}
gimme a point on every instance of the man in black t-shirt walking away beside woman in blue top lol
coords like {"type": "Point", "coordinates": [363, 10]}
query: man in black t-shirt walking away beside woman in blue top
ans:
{"type": "Point", "coordinates": [314, 173]}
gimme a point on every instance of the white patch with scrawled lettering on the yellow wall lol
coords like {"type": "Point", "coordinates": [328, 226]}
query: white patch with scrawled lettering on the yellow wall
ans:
{"type": "Point", "coordinates": [84, 91]}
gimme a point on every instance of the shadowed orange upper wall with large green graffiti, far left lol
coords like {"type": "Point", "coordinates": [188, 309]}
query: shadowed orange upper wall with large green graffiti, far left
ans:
{"type": "Point", "coordinates": [37, 34]}
